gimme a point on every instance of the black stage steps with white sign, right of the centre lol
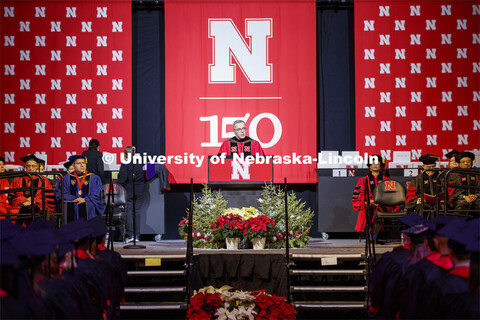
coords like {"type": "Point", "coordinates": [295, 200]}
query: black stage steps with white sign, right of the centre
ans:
{"type": "Point", "coordinates": [328, 285]}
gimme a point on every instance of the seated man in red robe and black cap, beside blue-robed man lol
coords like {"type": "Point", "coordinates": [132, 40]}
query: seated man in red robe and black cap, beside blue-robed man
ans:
{"type": "Point", "coordinates": [23, 200]}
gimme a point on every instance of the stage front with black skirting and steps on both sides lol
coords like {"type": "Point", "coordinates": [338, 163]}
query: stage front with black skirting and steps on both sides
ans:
{"type": "Point", "coordinates": [327, 279]}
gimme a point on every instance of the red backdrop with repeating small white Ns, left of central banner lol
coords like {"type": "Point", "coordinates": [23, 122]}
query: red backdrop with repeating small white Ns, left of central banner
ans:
{"type": "Point", "coordinates": [66, 77]}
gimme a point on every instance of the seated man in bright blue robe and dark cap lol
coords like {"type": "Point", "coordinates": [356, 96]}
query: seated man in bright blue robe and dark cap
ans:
{"type": "Point", "coordinates": [82, 192]}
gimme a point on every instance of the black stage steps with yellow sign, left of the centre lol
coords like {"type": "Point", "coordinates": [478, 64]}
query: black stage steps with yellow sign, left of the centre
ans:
{"type": "Point", "coordinates": [156, 287]}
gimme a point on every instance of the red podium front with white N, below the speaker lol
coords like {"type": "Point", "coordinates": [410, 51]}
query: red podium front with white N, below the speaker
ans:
{"type": "Point", "coordinates": [231, 171]}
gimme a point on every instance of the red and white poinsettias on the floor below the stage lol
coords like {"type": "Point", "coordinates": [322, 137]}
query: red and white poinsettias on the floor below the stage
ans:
{"type": "Point", "coordinates": [222, 304]}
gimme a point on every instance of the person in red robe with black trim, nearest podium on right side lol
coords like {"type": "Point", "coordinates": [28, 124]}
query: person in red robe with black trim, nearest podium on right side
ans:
{"type": "Point", "coordinates": [374, 176]}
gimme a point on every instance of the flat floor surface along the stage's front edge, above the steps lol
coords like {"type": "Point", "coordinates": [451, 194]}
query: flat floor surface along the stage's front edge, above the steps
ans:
{"type": "Point", "coordinates": [316, 246]}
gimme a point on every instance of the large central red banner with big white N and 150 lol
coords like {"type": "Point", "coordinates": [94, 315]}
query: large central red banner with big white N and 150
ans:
{"type": "Point", "coordinates": [229, 60]}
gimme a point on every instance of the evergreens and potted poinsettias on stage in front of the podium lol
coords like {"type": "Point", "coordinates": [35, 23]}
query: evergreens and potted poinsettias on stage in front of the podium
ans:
{"type": "Point", "coordinates": [211, 206]}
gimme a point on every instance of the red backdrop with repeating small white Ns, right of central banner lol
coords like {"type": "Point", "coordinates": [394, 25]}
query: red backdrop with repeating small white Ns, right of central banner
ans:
{"type": "Point", "coordinates": [417, 74]}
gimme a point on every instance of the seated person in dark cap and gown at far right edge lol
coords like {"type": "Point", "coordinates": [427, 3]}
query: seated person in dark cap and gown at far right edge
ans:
{"type": "Point", "coordinates": [467, 199]}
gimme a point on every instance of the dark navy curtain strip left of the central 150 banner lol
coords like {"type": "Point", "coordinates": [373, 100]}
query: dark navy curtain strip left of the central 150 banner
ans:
{"type": "Point", "coordinates": [148, 55]}
